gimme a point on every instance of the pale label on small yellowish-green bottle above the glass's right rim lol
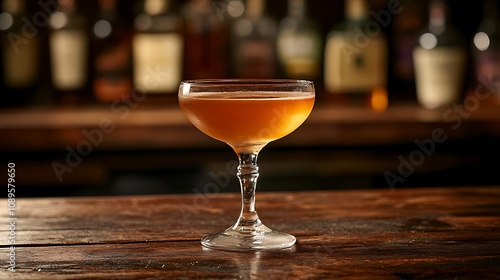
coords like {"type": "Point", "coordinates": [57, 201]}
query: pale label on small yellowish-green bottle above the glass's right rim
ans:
{"type": "Point", "coordinates": [299, 54]}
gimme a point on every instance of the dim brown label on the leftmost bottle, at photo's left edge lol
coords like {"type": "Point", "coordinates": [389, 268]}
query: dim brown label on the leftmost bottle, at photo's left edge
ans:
{"type": "Point", "coordinates": [21, 68]}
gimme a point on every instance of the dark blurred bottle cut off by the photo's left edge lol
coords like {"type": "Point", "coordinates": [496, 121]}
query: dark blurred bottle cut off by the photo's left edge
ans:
{"type": "Point", "coordinates": [20, 55]}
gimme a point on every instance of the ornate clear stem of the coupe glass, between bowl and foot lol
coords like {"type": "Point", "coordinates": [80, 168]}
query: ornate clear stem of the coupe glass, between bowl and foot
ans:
{"type": "Point", "coordinates": [248, 172]}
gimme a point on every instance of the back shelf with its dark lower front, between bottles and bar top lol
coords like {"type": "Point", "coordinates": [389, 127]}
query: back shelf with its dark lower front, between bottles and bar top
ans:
{"type": "Point", "coordinates": [341, 146]}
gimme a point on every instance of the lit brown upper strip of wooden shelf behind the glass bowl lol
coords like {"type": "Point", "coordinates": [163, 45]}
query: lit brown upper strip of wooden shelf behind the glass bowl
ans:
{"type": "Point", "coordinates": [40, 129]}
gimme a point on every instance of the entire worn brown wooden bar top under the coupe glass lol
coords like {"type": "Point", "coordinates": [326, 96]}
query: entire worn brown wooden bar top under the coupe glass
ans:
{"type": "Point", "coordinates": [425, 233]}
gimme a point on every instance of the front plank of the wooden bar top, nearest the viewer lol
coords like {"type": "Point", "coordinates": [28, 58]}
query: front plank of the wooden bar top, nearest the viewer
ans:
{"type": "Point", "coordinates": [396, 258]}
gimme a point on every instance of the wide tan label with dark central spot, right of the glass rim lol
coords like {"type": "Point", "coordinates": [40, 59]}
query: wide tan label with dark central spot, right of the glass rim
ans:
{"type": "Point", "coordinates": [355, 68]}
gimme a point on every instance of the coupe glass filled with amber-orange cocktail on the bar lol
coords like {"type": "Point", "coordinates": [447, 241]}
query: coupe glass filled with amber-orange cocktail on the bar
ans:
{"type": "Point", "coordinates": [247, 115]}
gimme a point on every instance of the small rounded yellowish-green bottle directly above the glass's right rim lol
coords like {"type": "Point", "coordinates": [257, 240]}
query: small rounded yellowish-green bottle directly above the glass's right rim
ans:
{"type": "Point", "coordinates": [299, 43]}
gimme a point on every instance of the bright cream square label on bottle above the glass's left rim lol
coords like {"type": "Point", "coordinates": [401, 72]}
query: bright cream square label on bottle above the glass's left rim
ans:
{"type": "Point", "coordinates": [157, 62]}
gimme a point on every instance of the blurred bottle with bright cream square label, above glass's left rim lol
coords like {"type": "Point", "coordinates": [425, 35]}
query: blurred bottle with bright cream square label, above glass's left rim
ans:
{"type": "Point", "coordinates": [157, 48]}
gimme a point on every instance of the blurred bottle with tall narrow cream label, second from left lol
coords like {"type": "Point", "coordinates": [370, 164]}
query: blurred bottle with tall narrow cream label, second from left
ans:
{"type": "Point", "coordinates": [69, 53]}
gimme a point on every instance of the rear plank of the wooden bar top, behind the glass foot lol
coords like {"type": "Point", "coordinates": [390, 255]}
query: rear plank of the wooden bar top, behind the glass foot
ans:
{"type": "Point", "coordinates": [189, 217]}
